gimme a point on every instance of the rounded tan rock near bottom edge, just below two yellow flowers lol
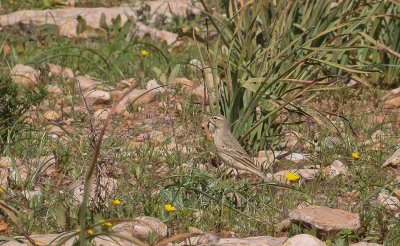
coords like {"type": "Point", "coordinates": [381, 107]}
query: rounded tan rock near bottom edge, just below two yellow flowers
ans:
{"type": "Point", "coordinates": [142, 226]}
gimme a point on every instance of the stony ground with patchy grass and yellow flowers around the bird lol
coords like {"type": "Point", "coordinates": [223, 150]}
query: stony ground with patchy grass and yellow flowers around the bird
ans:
{"type": "Point", "coordinates": [336, 182]}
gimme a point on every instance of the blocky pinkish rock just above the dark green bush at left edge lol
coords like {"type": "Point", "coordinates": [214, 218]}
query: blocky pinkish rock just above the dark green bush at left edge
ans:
{"type": "Point", "coordinates": [25, 75]}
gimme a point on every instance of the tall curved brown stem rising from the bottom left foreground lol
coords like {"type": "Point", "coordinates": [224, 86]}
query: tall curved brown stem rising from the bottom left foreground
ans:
{"type": "Point", "coordinates": [91, 169]}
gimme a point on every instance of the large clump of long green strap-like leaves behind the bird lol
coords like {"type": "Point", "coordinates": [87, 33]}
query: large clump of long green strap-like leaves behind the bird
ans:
{"type": "Point", "coordinates": [268, 53]}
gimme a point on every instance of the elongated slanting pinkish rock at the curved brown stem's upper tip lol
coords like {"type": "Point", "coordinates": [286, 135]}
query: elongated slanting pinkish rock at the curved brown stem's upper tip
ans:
{"type": "Point", "coordinates": [136, 97]}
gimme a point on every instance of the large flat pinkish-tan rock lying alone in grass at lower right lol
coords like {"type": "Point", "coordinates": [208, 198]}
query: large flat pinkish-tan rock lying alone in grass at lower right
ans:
{"type": "Point", "coordinates": [326, 219]}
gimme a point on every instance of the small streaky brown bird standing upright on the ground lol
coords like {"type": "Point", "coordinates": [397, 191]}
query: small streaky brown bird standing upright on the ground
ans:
{"type": "Point", "coordinates": [229, 150]}
